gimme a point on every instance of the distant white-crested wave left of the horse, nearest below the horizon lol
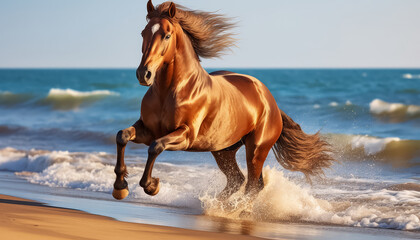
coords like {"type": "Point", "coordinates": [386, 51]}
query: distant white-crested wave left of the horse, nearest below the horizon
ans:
{"type": "Point", "coordinates": [69, 99]}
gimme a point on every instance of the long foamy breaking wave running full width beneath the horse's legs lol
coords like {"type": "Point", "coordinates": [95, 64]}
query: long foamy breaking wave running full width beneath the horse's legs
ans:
{"type": "Point", "coordinates": [283, 199]}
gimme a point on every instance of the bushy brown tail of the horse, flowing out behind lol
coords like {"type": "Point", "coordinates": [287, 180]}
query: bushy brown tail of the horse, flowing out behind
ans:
{"type": "Point", "coordinates": [298, 151]}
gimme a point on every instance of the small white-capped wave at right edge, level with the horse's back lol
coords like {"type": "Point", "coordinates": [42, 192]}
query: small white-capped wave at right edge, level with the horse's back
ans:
{"type": "Point", "coordinates": [394, 111]}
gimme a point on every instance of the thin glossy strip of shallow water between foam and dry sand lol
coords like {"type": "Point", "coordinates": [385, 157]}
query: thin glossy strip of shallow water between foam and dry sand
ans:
{"type": "Point", "coordinates": [103, 204]}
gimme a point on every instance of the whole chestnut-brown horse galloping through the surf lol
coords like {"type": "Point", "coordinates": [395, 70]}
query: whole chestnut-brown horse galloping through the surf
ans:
{"type": "Point", "coordinates": [185, 108]}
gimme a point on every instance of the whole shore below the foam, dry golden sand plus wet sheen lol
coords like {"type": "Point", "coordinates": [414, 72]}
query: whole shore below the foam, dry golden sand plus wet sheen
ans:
{"type": "Point", "coordinates": [30, 211]}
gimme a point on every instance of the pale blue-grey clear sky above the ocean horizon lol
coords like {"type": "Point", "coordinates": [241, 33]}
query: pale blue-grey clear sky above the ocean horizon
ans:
{"type": "Point", "coordinates": [270, 33]}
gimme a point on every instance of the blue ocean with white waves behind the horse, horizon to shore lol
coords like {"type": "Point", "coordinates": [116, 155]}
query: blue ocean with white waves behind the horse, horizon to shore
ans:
{"type": "Point", "coordinates": [57, 142]}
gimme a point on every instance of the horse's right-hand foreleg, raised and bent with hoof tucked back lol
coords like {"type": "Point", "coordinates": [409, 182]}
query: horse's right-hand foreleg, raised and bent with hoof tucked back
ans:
{"type": "Point", "coordinates": [176, 140]}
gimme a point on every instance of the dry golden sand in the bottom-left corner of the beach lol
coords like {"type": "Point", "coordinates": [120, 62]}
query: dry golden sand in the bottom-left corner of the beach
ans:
{"type": "Point", "coordinates": [26, 219]}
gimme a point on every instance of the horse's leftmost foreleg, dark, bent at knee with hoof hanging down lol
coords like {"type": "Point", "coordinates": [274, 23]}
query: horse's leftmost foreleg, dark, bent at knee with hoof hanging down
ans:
{"type": "Point", "coordinates": [137, 133]}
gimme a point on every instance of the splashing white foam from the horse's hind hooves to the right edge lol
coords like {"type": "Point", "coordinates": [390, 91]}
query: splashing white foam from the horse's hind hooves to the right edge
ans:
{"type": "Point", "coordinates": [284, 200]}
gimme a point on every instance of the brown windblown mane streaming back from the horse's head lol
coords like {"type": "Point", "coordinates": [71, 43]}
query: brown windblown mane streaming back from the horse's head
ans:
{"type": "Point", "coordinates": [207, 31]}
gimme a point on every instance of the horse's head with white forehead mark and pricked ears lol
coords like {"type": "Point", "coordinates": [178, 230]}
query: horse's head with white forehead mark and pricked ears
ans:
{"type": "Point", "coordinates": [159, 43]}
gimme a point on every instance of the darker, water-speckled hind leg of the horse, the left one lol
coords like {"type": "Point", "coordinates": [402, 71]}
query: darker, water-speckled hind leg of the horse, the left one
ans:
{"type": "Point", "coordinates": [226, 161]}
